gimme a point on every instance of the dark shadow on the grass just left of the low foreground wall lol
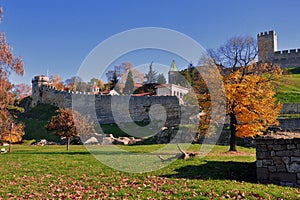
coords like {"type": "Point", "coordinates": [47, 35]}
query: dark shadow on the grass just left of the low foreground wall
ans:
{"type": "Point", "coordinates": [216, 170]}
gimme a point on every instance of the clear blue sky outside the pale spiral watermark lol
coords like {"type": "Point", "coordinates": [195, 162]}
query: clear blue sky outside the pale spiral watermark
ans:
{"type": "Point", "coordinates": [57, 35]}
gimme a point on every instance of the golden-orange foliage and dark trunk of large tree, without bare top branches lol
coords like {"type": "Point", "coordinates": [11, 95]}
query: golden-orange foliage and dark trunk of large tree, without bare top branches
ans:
{"type": "Point", "coordinates": [251, 105]}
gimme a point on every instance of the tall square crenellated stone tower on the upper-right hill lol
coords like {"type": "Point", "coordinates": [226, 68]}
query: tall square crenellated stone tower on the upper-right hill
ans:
{"type": "Point", "coordinates": [267, 45]}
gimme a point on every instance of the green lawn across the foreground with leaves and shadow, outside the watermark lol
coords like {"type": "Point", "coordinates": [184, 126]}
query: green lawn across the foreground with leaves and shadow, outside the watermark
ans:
{"type": "Point", "coordinates": [32, 172]}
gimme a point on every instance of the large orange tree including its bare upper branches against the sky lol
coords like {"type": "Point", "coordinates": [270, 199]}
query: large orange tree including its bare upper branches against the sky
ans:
{"type": "Point", "coordinates": [251, 106]}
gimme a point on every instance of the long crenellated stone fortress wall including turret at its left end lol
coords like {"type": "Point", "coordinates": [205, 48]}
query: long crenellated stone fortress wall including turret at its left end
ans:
{"type": "Point", "coordinates": [107, 108]}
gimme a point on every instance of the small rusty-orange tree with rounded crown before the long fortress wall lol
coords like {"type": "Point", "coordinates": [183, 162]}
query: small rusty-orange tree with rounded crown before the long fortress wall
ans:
{"type": "Point", "coordinates": [68, 124]}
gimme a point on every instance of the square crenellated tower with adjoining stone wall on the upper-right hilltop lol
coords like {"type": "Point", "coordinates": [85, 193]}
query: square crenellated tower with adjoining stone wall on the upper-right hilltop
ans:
{"type": "Point", "coordinates": [268, 51]}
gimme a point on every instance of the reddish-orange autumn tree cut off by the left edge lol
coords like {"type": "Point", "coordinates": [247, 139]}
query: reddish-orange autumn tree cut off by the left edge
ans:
{"type": "Point", "coordinates": [9, 130]}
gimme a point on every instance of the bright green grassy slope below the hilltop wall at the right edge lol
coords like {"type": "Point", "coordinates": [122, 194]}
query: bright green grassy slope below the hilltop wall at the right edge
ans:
{"type": "Point", "coordinates": [289, 87]}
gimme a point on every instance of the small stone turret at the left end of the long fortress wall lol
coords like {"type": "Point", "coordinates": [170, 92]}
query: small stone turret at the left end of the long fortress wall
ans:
{"type": "Point", "coordinates": [37, 83]}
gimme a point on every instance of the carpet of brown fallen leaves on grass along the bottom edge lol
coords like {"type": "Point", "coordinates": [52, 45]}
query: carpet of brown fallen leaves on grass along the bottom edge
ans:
{"type": "Point", "coordinates": [120, 187]}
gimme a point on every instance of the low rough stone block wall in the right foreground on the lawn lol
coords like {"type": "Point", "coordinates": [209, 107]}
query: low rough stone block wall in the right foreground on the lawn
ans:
{"type": "Point", "coordinates": [278, 161]}
